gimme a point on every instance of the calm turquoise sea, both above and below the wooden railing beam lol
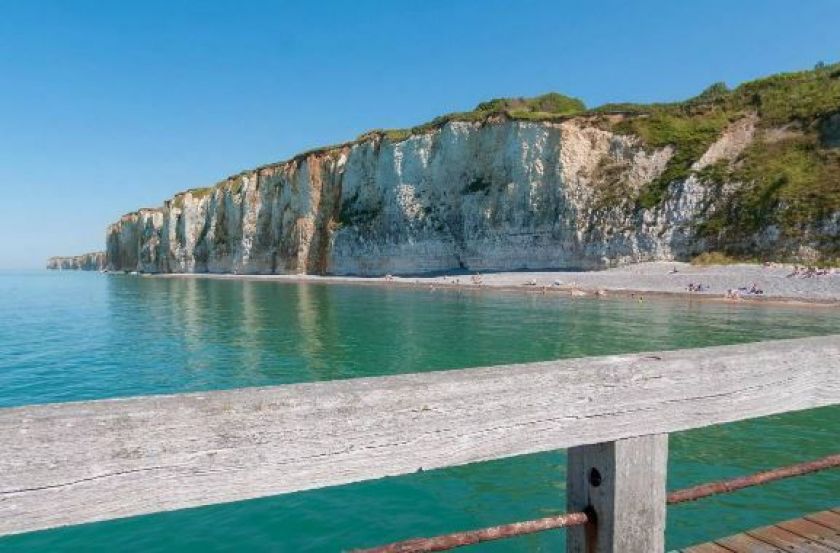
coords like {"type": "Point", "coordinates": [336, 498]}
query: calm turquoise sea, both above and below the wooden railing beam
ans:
{"type": "Point", "coordinates": [74, 336]}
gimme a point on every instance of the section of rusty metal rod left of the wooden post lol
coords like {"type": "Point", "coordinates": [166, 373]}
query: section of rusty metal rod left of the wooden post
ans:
{"type": "Point", "coordinates": [460, 539]}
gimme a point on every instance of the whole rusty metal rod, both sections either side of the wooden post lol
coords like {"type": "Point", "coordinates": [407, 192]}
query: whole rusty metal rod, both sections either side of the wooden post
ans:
{"type": "Point", "coordinates": [460, 539]}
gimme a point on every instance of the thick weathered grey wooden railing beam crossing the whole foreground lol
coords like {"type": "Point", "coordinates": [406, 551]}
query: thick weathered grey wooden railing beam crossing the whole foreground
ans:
{"type": "Point", "coordinates": [72, 463]}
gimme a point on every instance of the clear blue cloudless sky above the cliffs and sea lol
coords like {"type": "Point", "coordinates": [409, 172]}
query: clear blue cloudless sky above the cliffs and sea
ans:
{"type": "Point", "coordinates": [107, 106]}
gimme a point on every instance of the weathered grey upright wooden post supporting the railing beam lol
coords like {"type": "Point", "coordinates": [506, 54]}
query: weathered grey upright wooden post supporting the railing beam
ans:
{"type": "Point", "coordinates": [623, 484]}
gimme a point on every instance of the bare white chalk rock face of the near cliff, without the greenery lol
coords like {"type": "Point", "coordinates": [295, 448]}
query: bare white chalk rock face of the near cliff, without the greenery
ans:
{"type": "Point", "coordinates": [501, 195]}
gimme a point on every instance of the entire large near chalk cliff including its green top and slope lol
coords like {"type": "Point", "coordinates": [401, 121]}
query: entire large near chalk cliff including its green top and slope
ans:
{"type": "Point", "coordinates": [527, 183]}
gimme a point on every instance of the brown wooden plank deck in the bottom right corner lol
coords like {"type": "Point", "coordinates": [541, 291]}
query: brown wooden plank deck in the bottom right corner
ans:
{"type": "Point", "coordinates": [814, 533]}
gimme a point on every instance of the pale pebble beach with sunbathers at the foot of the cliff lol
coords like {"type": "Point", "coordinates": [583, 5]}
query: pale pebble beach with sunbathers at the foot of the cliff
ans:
{"type": "Point", "coordinates": [652, 280]}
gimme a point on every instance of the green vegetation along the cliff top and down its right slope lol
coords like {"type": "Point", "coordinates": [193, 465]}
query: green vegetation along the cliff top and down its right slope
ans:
{"type": "Point", "coordinates": [788, 179]}
